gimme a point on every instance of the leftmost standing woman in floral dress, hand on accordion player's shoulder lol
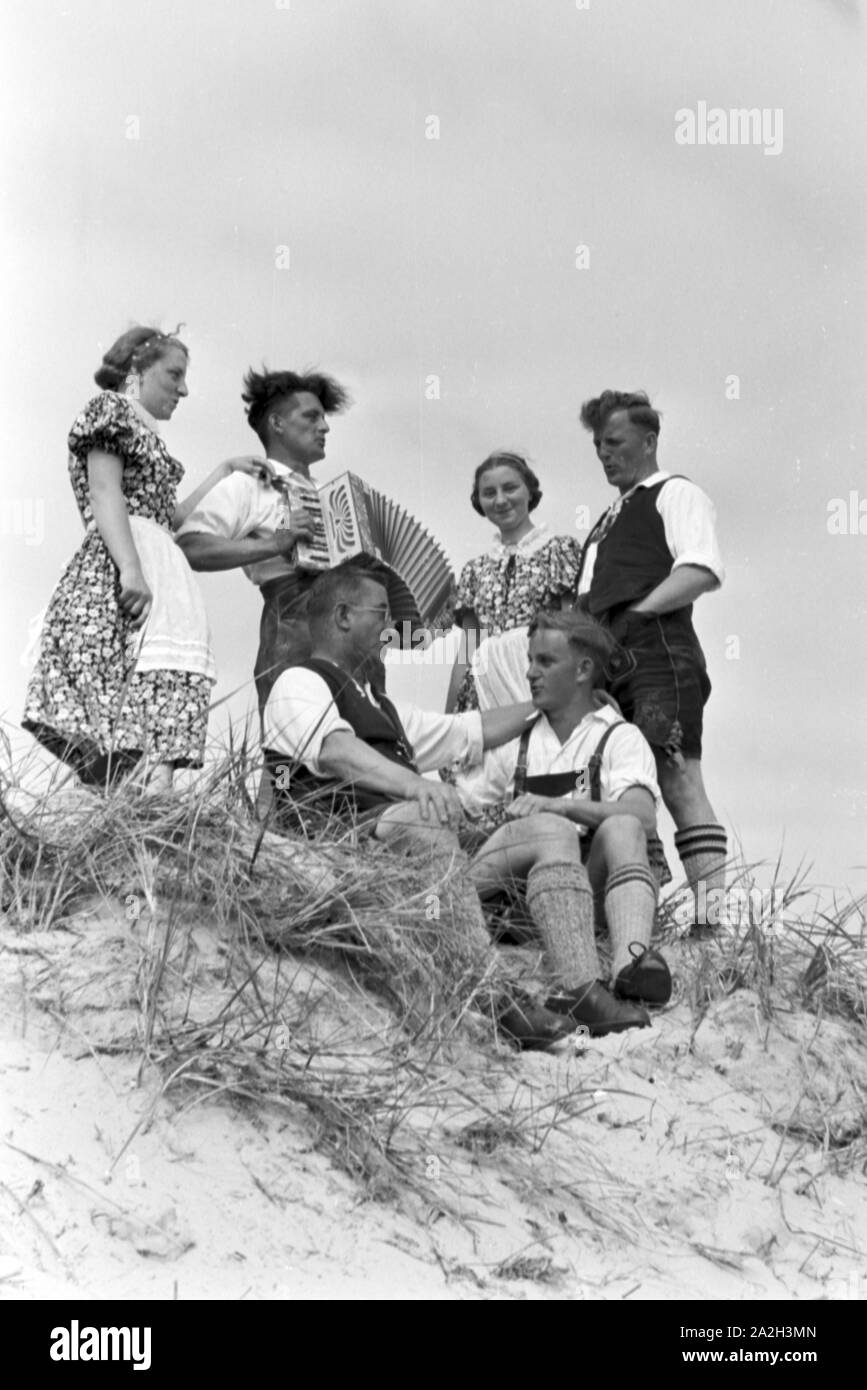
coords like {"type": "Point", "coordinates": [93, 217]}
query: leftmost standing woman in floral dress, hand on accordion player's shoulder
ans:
{"type": "Point", "coordinates": [126, 669]}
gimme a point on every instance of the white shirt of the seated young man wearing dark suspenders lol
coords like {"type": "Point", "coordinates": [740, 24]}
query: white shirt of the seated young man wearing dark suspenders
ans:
{"type": "Point", "coordinates": [626, 762]}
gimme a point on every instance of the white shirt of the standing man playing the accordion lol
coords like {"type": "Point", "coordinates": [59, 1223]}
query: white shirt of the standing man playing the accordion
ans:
{"type": "Point", "coordinates": [241, 508]}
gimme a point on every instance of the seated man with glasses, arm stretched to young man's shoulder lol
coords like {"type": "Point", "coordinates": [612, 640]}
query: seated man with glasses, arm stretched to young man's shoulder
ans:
{"type": "Point", "coordinates": [336, 743]}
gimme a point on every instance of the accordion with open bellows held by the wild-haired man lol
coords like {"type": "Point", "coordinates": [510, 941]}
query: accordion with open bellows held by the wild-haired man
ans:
{"type": "Point", "coordinates": [352, 519]}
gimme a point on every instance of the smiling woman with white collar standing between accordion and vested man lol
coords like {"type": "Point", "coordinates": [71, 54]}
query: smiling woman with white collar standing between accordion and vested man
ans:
{"type": "Point", "coordinates": [498, 594]}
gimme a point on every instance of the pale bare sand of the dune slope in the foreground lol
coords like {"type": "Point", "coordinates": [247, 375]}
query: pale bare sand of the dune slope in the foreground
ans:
{"type": "Point", "coordinates": [673, 1175]}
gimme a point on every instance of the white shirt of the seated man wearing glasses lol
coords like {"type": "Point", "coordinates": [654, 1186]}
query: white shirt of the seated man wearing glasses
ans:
{"type": "Point", "coordinates": [301, 715]}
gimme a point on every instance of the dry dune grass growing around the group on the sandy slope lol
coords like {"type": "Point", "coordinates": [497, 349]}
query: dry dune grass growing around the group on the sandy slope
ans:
{"type": "Point", "coordinates": [330, 981]}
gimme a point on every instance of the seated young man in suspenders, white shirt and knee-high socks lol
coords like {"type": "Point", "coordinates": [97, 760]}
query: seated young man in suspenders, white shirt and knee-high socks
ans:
{"type": "Point", "coordinates": [579, 825]}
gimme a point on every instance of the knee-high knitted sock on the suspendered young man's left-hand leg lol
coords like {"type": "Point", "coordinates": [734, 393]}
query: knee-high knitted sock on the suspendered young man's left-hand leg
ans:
{"type": "Point", "coordinates": [562, 906]}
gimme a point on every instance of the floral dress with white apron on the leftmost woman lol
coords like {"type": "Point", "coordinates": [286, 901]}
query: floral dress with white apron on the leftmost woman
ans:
{"type": "Point", "coordinates": [104, 694]}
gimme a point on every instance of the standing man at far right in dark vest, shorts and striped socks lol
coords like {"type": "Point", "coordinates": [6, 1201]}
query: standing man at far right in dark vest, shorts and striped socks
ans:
{"type": "Point", "coordinates": [645, 564]}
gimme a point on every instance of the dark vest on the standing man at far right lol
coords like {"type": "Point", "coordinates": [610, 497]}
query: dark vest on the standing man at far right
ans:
{"type": "Point", "coordinates": [633, 558]}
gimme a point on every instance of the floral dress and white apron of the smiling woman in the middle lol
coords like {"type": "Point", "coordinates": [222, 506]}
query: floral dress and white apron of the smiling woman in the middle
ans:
{"type": "Point", "coordinates": [505, 589]}
